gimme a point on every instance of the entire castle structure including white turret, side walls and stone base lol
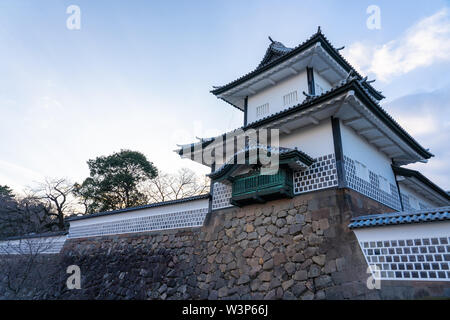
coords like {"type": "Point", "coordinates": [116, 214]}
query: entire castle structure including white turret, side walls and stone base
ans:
{"type": "Point", "coordinates": [310, 199]}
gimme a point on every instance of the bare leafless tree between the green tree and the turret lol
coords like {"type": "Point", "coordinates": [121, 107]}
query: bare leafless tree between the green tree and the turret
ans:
{"type": "Point", "coordinates": [185, 183]}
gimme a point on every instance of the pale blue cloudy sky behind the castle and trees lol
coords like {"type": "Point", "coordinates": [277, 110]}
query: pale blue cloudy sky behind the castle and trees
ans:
{"type": "Point", "coordinates": [137, 74]}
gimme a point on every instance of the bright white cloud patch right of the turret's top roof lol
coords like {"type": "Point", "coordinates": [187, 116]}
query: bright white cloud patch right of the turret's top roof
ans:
{"type": "Point", "coordinates": [424, 43]}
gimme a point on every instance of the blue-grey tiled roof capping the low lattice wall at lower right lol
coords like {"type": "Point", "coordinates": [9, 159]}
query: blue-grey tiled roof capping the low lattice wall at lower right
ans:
{"type": "Point", "coordinates": [386, 219]}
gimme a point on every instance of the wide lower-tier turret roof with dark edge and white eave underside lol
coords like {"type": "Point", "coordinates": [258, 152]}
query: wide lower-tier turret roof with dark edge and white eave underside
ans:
{"type": "Point", "coordinates": [357, 110]}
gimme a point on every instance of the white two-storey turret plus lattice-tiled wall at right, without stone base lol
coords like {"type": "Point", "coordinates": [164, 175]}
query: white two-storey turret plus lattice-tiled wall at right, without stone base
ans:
{"type": "Point", "coordinates": [309, 109]}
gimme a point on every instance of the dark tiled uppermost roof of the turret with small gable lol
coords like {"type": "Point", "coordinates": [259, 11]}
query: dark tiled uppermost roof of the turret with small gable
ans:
{"type": "Point", "coordinates": [278, 53]}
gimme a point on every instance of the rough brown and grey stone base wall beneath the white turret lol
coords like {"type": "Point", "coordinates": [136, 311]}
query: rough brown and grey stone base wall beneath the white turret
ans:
{"type": "Point", "coordinates": [297, 248]}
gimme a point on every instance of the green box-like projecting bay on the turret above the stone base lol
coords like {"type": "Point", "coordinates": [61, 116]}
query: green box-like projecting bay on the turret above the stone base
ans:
{"type": "Point", "coordinates": [257, 188]}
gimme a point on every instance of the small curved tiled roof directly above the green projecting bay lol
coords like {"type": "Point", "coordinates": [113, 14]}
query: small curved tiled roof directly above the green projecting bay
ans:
{"type": "Point", "coordinates": [284, 154]}
